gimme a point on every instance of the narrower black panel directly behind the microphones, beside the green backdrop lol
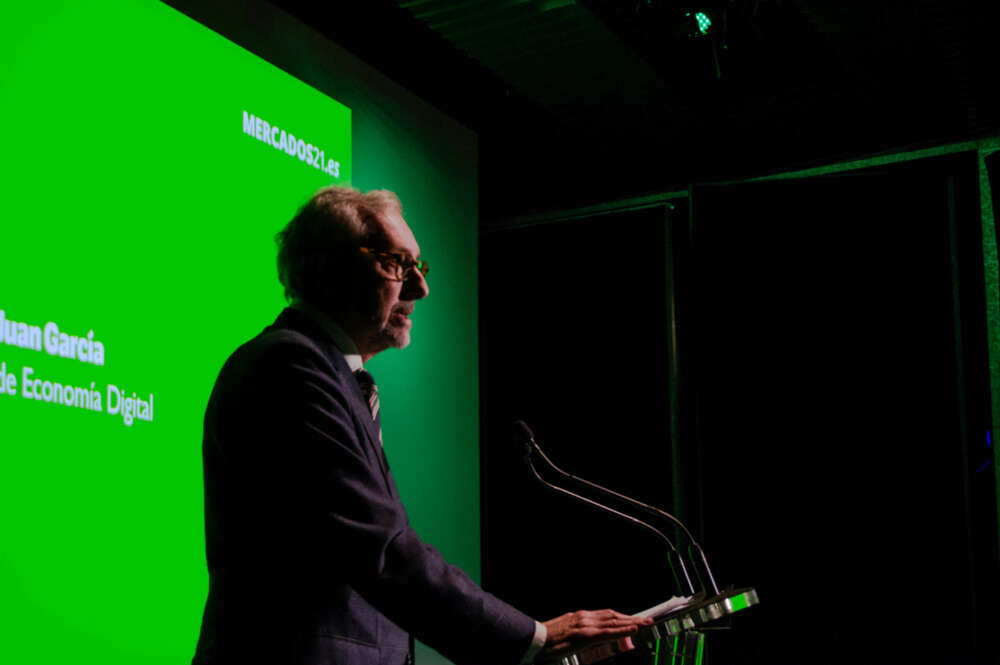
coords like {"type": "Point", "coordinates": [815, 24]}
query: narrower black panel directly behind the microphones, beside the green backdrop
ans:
{"type": "Point", "coordinates": [573, 320]}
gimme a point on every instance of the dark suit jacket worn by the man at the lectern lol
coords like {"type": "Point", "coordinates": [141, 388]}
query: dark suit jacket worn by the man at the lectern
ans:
{"type": "Point", "coordinates": [311, 557]}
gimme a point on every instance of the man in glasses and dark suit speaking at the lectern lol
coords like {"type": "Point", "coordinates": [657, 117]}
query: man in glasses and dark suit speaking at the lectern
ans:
{"type": "Point", "coordinates": [310, 554]}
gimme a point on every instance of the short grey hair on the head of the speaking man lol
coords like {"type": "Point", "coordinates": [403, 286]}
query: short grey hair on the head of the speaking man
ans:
{"type": "Point", "coordinates": [311, 259]}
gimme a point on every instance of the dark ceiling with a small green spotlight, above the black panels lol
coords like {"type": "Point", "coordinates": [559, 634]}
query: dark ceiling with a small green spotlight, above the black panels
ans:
{"type": "Point", "coordinates": [580, 102]}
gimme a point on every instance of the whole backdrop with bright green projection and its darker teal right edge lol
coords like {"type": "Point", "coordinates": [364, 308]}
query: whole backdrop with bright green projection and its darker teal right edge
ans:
{"type": "Point", "coordinates": [148, 163]}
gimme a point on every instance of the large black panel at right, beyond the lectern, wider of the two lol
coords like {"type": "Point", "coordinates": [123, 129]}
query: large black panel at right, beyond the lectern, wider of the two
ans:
{"type": "Point", "coordinates": [839, 344]}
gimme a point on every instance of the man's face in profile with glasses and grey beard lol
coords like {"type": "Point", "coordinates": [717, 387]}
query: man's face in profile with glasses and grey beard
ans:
{"type": "Point", "coordinates": [384, 303]}
